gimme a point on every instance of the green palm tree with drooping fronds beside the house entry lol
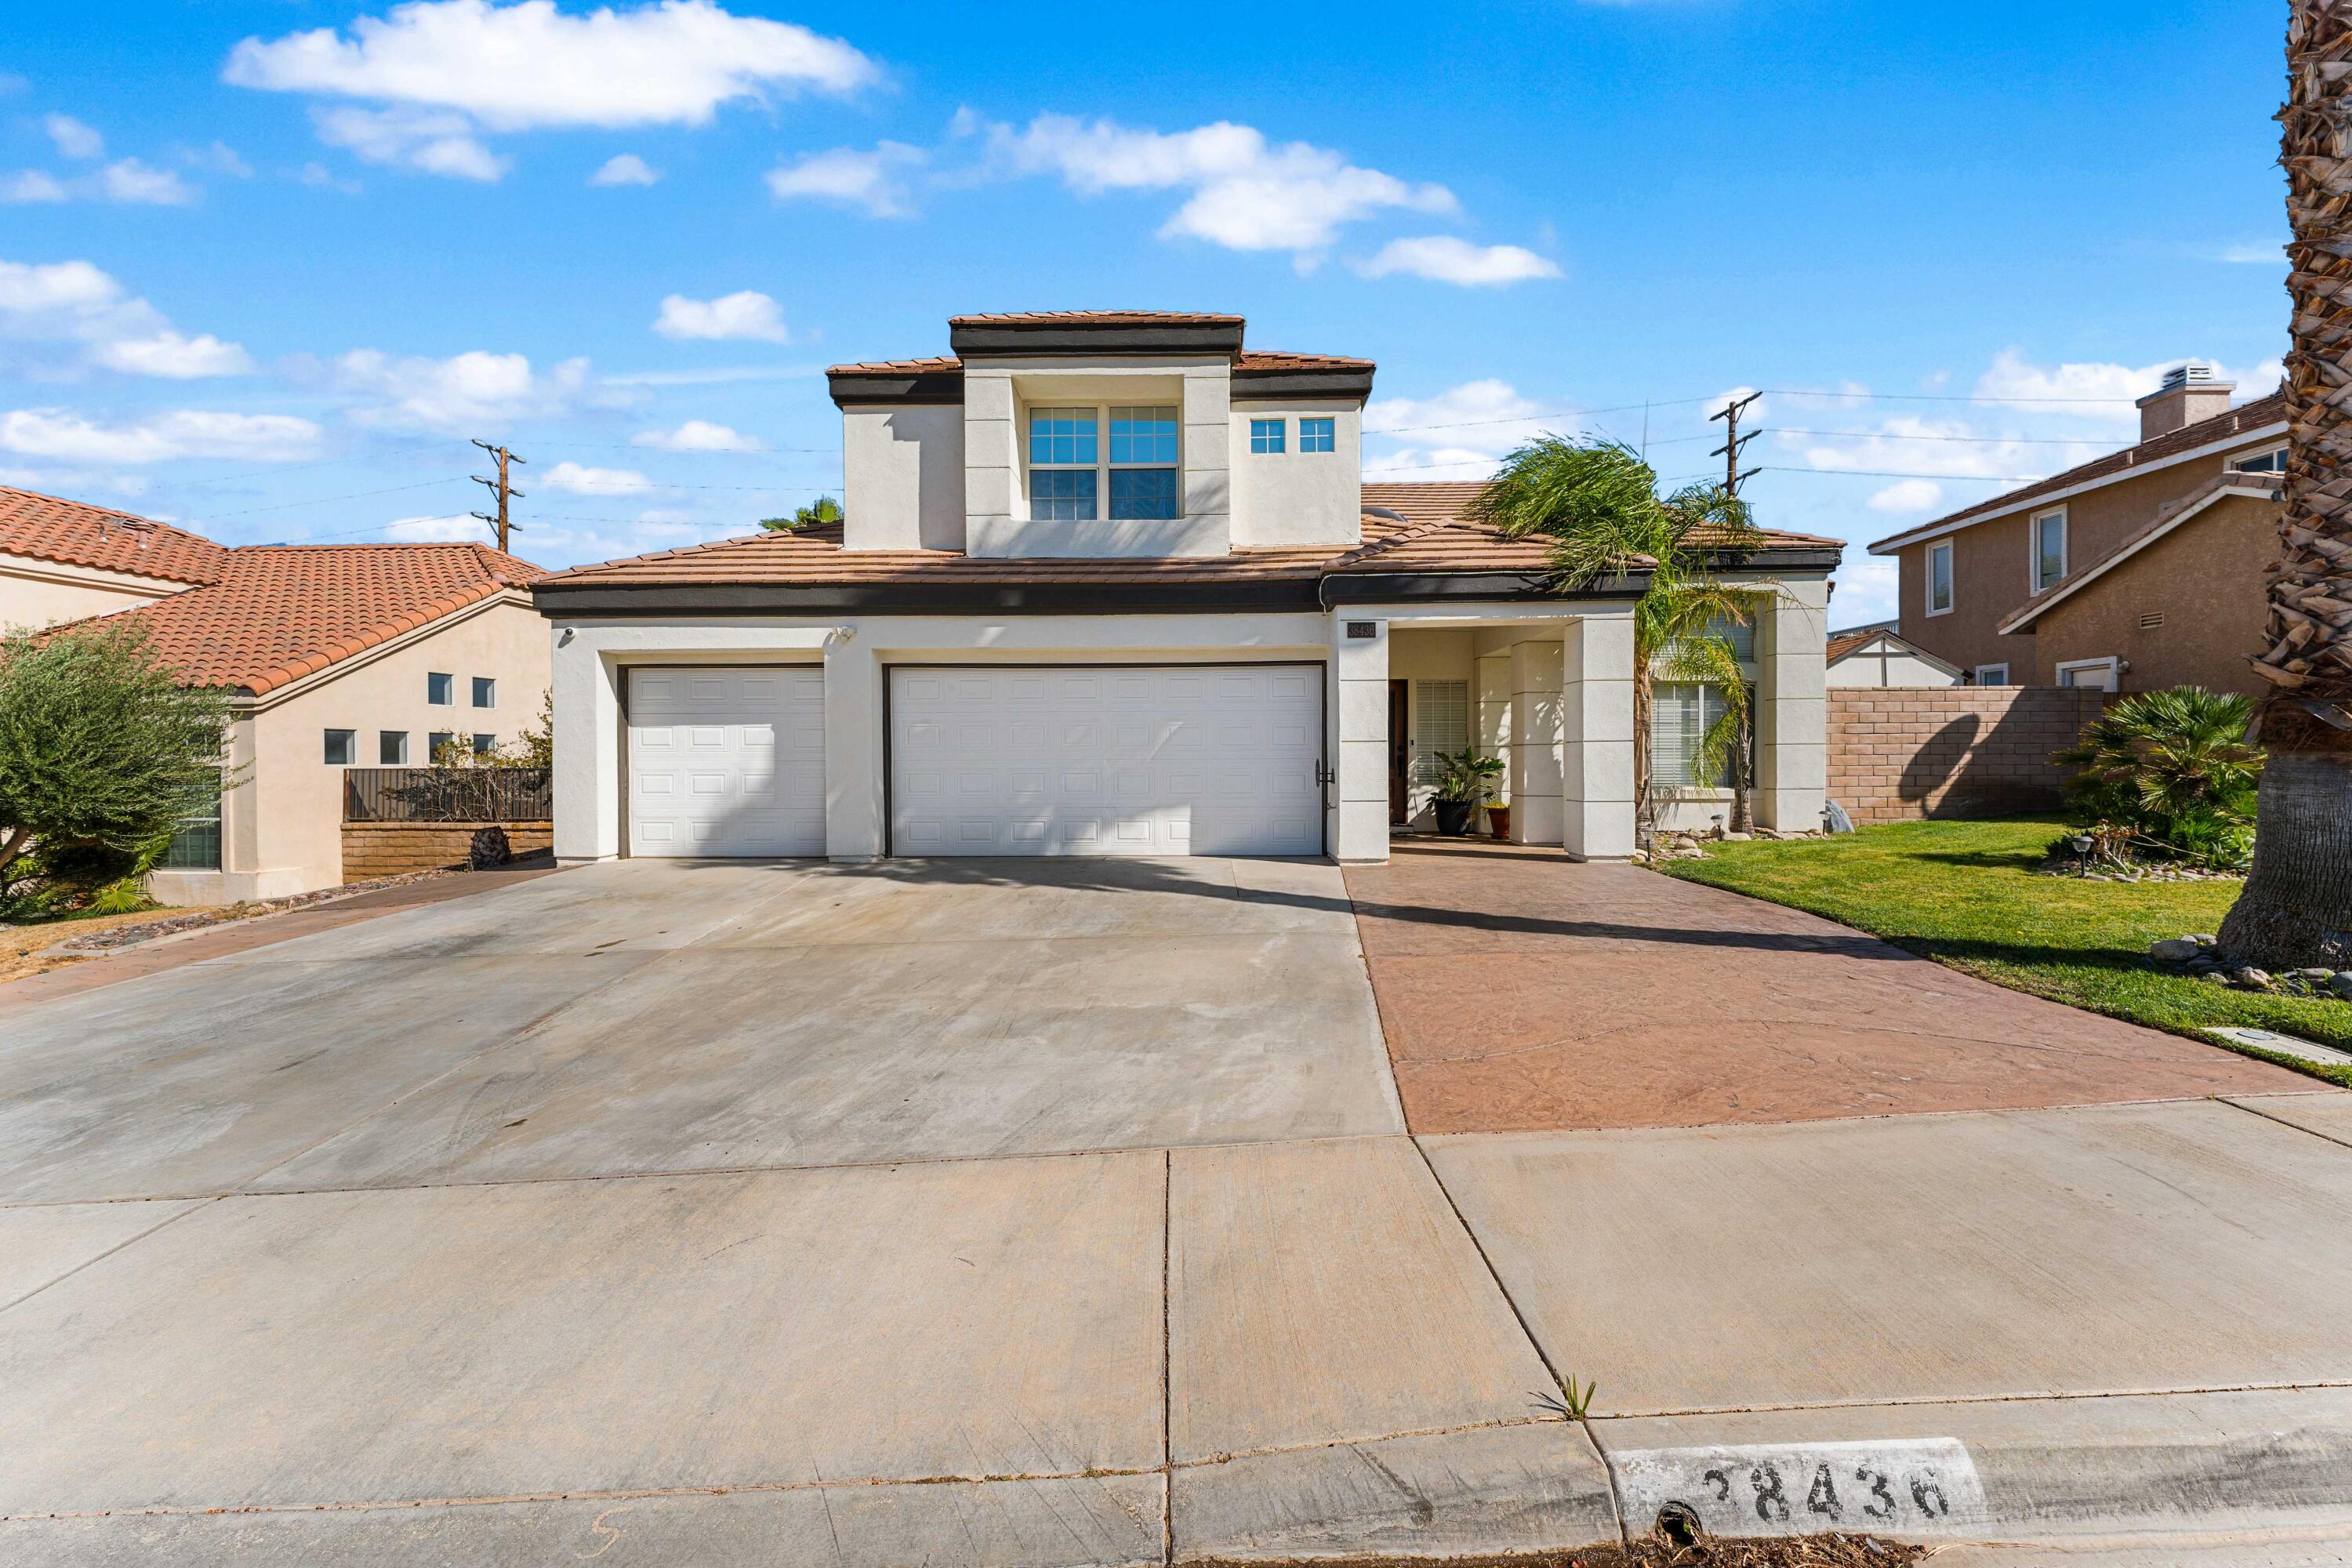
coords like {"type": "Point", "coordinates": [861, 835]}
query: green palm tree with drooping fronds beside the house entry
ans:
{"type": "Point", "coordinates": [1601, 507]}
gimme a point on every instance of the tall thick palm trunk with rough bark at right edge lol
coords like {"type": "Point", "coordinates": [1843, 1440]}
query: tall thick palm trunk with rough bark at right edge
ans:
{"type": "Point", "coordinates": [2297, 909]}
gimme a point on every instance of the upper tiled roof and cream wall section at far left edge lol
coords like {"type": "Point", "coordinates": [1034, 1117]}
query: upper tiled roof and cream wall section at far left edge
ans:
{"type": "Point", "coordinates": [62, 561]}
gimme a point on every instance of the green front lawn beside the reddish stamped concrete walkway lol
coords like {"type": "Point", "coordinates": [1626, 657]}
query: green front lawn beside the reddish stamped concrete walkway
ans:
{"type": "Point", "coordinates": [1963, 894]}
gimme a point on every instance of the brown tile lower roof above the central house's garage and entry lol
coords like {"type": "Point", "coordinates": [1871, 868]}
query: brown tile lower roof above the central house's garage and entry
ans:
{"type": "Point", "coordinates": [1408, 528]}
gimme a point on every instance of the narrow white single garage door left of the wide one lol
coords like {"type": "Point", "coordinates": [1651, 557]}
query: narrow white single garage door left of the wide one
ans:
{"type": "Point", "coordinates": [728, 760]}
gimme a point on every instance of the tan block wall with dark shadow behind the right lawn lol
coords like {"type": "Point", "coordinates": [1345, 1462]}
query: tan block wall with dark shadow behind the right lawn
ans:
{"type": "Point", "coordinates": [1904, 753]}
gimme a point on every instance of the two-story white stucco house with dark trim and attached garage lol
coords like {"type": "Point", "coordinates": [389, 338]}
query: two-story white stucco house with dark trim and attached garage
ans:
{"type": "Point", "coordinates": [1109, 584]}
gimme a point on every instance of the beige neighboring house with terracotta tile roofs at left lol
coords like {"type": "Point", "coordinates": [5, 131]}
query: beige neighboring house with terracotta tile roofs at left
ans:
{"type": "Point", "coordinates": [335, 657]}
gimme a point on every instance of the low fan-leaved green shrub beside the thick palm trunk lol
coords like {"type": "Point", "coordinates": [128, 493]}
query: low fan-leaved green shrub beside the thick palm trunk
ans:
{"type": "Point", "coordinates": [2174, 770]}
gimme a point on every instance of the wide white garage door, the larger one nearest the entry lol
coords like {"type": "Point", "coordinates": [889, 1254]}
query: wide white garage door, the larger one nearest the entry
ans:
{"type": "Point", "coordinates": [1154, 760]}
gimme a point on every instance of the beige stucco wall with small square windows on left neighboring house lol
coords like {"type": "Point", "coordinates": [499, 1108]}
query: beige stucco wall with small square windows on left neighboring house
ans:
{"type": "Point", "coordinates": [283, 817]}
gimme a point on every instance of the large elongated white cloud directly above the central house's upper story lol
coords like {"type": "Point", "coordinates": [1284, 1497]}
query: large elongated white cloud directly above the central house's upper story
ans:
{"type": "Point", "coordinates": [1243, 192]}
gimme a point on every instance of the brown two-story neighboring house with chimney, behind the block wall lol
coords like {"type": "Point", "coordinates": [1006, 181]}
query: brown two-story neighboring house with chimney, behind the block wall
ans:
{"type": "Point", "coordinates": [2132, 572]}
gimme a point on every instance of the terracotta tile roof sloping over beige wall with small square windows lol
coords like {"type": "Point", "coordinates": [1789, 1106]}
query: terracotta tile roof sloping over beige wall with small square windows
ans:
{"type": "Point", "coordinates": [281, 612]}
